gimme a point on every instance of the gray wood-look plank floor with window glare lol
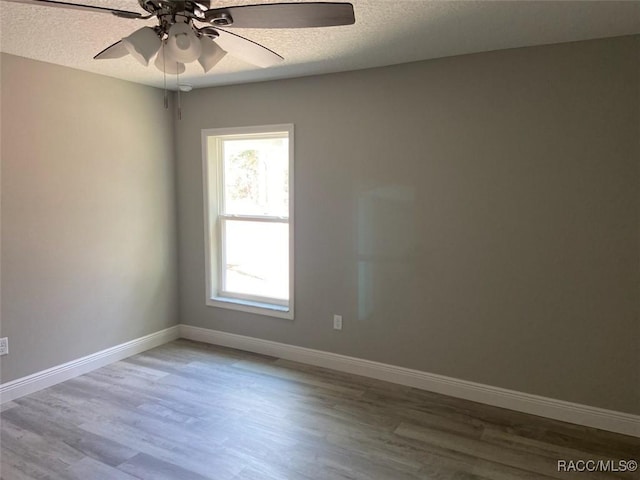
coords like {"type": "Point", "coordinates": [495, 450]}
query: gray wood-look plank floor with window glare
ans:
{"type": "Point", "coordinates": [189, 411]}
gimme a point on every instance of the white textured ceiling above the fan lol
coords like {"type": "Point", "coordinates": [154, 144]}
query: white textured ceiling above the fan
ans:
{"type": "Point", "coordinates": [386, 32]}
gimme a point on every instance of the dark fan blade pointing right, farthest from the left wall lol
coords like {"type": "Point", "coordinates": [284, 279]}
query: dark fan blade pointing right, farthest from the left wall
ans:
{"type": "Point", "coordinates": [283, 15]}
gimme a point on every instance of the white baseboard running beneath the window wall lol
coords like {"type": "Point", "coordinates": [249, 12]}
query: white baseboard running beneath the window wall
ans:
{"type": "Point", "coordinates": [601, 418]}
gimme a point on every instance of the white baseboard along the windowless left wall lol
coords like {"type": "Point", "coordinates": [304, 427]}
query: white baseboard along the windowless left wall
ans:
{"type": "Point", "coordinates": [46, 378]}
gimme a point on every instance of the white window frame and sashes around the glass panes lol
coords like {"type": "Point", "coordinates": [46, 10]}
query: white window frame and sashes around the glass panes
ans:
{"type": "Point", "coordinates": [214, 220]}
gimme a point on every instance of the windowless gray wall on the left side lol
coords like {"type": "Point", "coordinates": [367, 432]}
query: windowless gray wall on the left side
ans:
{"type": "Point", "coordinates": [88, 215]}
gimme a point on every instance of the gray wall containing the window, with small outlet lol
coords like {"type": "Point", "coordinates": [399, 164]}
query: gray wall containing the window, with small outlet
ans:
{"type": "Point", "coordinates": [475, 216]}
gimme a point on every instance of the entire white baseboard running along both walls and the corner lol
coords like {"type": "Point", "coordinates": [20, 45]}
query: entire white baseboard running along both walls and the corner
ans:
{"type": "Point", "coordinates": [619, 422]}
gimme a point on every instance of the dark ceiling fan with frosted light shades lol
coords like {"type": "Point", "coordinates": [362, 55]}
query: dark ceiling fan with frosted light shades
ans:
{"type": "Point", "coordinates": [190, 30]}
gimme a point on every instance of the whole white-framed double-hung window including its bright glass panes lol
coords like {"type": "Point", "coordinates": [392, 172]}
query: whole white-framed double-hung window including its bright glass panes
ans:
{"type": "Point", "coordinates": [248, 175]}
